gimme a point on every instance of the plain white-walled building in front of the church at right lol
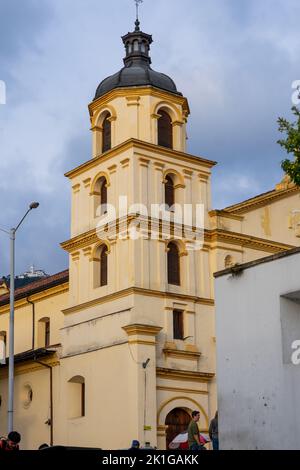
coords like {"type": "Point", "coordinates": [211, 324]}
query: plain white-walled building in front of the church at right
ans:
{"type": "Point", "coordinates": [258, 353]}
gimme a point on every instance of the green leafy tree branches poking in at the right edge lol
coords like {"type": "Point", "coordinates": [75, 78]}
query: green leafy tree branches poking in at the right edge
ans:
{"type": "Point", "coordinates": [292, 145]}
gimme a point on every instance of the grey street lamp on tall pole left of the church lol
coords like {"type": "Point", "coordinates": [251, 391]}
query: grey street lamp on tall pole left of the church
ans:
{"type": "Point", "coordinates": [12, 236]}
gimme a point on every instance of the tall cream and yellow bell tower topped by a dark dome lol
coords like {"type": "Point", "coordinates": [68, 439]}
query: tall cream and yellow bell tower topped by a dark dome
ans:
{"type": "Point", "coordinates": [134, 301]}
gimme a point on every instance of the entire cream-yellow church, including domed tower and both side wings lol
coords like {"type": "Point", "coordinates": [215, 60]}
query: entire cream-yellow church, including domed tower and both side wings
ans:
{"type": "Point", "coordinates": [122, 345]}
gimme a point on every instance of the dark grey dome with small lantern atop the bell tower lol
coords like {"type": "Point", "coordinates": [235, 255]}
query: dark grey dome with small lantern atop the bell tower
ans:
{"type": "Point", "coordinates": [137, 71]}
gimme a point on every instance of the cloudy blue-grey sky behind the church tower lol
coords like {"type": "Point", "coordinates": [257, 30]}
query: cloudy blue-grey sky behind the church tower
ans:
{"type": "Point", "coordinates": [235, 60]}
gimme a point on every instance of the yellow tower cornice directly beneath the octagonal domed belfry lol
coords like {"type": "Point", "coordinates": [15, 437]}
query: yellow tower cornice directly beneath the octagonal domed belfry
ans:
{"type": "Point", "coordinates": [138, 144]}
